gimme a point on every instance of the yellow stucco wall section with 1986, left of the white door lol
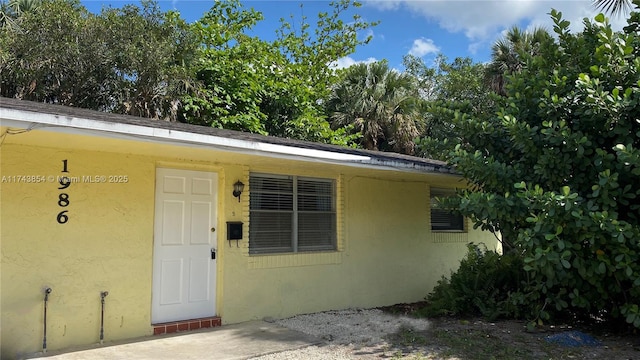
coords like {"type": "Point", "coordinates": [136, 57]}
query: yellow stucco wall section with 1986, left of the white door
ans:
{"type": "Point", "coordinates": [104, 246]}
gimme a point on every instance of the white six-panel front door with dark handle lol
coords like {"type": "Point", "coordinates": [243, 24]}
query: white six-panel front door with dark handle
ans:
{"type": "Point", "coordinates": [184, 268]}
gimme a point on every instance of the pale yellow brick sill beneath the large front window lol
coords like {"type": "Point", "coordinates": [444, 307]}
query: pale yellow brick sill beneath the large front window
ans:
{"type": "Point", "coordinates": [281, 260]}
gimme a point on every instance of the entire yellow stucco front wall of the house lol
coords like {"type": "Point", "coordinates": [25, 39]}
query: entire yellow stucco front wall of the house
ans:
{"type": "Point", "coordinates": [386, 252]}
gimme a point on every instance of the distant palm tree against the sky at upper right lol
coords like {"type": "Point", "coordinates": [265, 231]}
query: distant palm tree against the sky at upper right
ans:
{"type": "Point", "coordinates": [507, 55]}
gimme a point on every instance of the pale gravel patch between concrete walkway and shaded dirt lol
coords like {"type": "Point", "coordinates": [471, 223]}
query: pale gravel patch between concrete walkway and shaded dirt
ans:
{"type": "Point", "coordinates": [347, 334]}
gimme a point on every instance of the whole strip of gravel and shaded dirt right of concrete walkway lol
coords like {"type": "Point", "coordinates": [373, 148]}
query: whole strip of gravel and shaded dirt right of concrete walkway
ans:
{"type": "Point", "coordinates": [373, 334]}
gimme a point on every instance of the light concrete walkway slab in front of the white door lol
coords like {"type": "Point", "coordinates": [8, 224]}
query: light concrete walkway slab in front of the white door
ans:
{"type": "Point", "coordinates": [238, 341]}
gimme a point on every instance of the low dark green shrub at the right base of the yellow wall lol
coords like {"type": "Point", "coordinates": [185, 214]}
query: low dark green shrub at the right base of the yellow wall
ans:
{"type": "Point", "coordinates": [482, 286]}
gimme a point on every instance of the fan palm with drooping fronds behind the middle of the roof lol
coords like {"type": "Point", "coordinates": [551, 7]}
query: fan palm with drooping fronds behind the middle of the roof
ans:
{"type": "Point", "coordinates": [379, 103]}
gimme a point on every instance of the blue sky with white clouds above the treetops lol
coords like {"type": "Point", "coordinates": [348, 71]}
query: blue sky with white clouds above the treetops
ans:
{"type": "Point", "coordinates": [420, 27]}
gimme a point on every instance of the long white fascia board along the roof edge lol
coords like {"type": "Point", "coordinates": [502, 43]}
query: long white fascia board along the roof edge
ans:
{"type": "Point", "coordinates": [74, 125]}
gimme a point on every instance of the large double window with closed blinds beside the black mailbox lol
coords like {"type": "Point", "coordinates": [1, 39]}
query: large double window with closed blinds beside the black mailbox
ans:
{"type": "Point", "coordinates": [291, 214]}
